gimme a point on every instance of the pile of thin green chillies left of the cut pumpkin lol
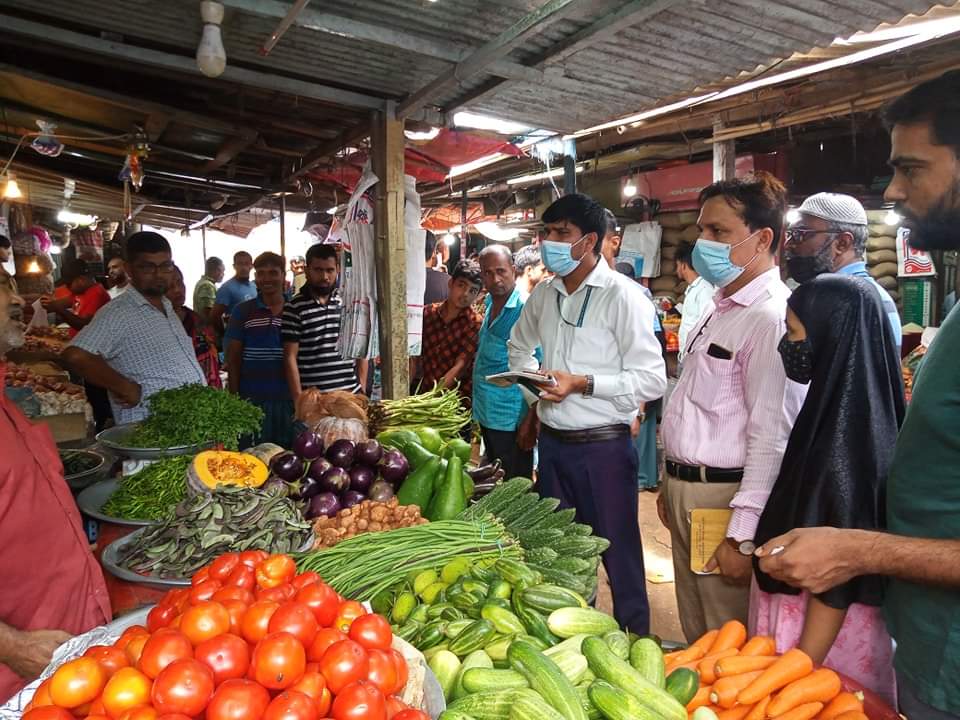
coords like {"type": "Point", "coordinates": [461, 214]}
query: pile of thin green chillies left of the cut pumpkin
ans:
{"type": "Point", "coordinates": [149, 493]}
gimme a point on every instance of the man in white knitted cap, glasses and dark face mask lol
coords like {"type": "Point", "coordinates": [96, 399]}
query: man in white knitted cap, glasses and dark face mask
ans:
{"type": "Point", "coordinates": [831, 236]}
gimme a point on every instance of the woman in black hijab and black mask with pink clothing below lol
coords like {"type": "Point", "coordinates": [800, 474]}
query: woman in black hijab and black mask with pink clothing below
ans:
{"type": "Point", "coordinates": [834, 471]}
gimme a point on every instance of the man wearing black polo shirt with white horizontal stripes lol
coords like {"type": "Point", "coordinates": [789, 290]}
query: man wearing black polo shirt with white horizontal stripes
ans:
{"type": "Point", "coordinates": [311, 326]}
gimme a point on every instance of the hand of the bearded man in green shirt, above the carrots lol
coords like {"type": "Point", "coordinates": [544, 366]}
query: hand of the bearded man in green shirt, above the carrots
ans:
{"type": "Point", "coordinates": [814, 559]}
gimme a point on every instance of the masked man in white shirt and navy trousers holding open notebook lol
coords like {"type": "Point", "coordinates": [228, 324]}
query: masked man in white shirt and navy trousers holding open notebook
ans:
{"type": "Point", "coordinates": [595, 328]}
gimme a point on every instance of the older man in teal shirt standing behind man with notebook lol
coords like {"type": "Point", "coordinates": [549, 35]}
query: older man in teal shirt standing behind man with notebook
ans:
{"type": "Point", "coordinates": [500, 411]}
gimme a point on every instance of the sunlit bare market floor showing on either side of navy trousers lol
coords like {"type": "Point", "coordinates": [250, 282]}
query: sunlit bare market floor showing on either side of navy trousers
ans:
{"type": "Point", "coordinates": [664, 619]}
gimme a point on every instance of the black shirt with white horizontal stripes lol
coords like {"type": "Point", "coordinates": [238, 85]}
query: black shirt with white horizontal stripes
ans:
{"type": "Point", "coordinates": [316, 327]}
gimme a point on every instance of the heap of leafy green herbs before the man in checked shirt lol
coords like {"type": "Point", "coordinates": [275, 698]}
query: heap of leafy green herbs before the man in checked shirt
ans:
{"type": "Point", "coordinates": [195, 415]}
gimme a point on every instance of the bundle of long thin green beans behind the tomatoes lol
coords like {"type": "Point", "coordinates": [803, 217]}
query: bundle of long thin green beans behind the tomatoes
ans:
{"type": "Point", "coordinates": [363, 566]}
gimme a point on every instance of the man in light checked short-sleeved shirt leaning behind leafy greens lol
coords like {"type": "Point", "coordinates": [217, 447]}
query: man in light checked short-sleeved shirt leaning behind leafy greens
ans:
{"type": "Point", "coordinates": [136, 345]}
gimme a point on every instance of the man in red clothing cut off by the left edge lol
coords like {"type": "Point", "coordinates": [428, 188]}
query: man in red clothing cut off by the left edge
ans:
{"type": "Point", "coordinates": [44, 545]}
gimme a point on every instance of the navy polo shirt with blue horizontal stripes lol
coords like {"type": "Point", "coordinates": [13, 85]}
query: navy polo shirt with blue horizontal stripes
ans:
{"type": "Point", "coordinates": [258, 330]}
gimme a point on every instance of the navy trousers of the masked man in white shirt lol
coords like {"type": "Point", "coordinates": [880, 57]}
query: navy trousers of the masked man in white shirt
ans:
{"type": "Point", "coordinates": [599, 480]}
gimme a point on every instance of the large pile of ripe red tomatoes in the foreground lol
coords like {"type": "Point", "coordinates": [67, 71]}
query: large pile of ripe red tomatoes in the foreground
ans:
{"type": "Point", "coordinates": [249, 640]}
